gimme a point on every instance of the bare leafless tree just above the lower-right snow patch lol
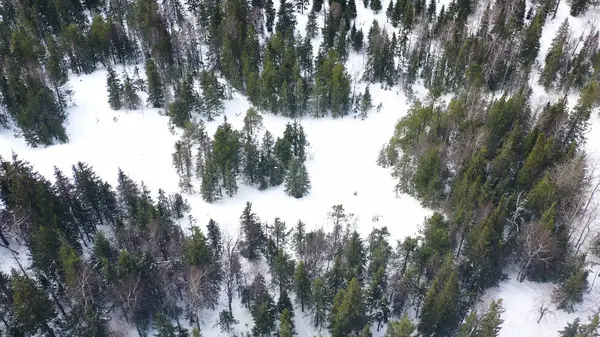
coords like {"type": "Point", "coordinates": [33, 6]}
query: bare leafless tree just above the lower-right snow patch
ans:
{"type": "Point", "coordinates": [538, 247]}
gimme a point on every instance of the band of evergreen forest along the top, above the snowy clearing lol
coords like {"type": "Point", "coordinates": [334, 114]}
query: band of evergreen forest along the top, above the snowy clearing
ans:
{"type": "Point", "coordinates": [189, 42]}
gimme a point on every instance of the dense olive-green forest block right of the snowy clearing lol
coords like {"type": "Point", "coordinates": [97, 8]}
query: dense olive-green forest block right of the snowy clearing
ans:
{"type": "Point", "coordinates": [509, 181]}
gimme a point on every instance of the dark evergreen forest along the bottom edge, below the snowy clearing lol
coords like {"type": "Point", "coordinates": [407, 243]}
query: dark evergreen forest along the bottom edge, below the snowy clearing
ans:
{"type": "Point", "coordinates": [141, 268]}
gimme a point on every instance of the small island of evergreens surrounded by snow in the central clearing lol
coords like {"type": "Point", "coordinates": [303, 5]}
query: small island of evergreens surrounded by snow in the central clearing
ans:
{"type": "Point", "coordinates": [231, 154]}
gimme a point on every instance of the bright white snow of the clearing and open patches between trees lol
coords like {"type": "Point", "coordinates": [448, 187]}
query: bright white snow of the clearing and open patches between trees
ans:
{"type": "Point", "coordinates": [341, 164]}
